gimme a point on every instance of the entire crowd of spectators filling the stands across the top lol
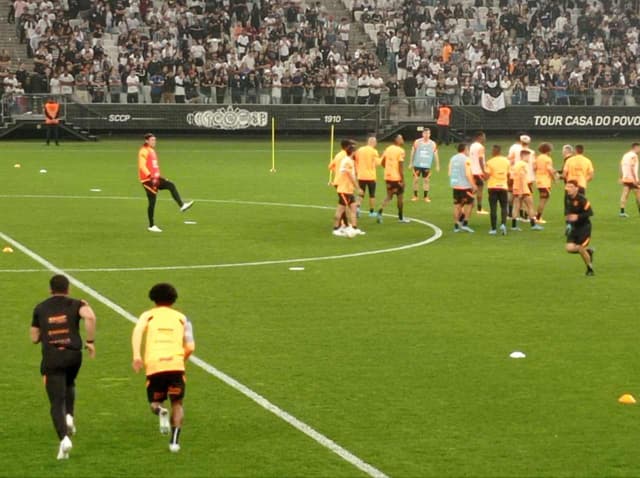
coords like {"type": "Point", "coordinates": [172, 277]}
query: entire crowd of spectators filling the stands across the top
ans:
{"type": "Point", "coordinates": [283, 51]}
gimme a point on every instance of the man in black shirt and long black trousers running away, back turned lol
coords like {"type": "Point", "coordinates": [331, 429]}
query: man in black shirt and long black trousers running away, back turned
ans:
{"type": "Point", "coordinates": [55, 324]}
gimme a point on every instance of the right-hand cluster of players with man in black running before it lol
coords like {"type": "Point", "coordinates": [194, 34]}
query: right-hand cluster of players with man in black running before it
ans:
{"type": "Point", "coordinates": [510, 183]}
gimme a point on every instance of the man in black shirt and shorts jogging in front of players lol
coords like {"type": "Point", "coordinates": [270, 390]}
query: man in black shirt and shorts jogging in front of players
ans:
{"type": "Point", "coordinates": [577, 210]}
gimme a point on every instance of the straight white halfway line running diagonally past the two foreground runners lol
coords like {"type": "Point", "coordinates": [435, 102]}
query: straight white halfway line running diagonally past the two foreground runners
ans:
{"type": "Point", "coordinates": [233, 383]}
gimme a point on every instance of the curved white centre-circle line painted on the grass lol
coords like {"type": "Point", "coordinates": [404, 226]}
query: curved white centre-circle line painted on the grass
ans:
{"type": "Point", "coordinates": [437, 234]}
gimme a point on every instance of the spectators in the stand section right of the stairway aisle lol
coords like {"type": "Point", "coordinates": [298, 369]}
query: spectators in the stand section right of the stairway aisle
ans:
{"type": "Point", "coordinates": [536, 52]}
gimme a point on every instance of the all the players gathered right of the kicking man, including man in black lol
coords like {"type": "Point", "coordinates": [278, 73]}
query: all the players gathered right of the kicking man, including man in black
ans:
{"type": "Point", "coordinates": [510, 180]}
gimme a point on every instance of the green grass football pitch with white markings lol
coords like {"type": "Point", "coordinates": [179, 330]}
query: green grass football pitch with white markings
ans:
{"type": "Point", "coordinates": [386, 354]}
